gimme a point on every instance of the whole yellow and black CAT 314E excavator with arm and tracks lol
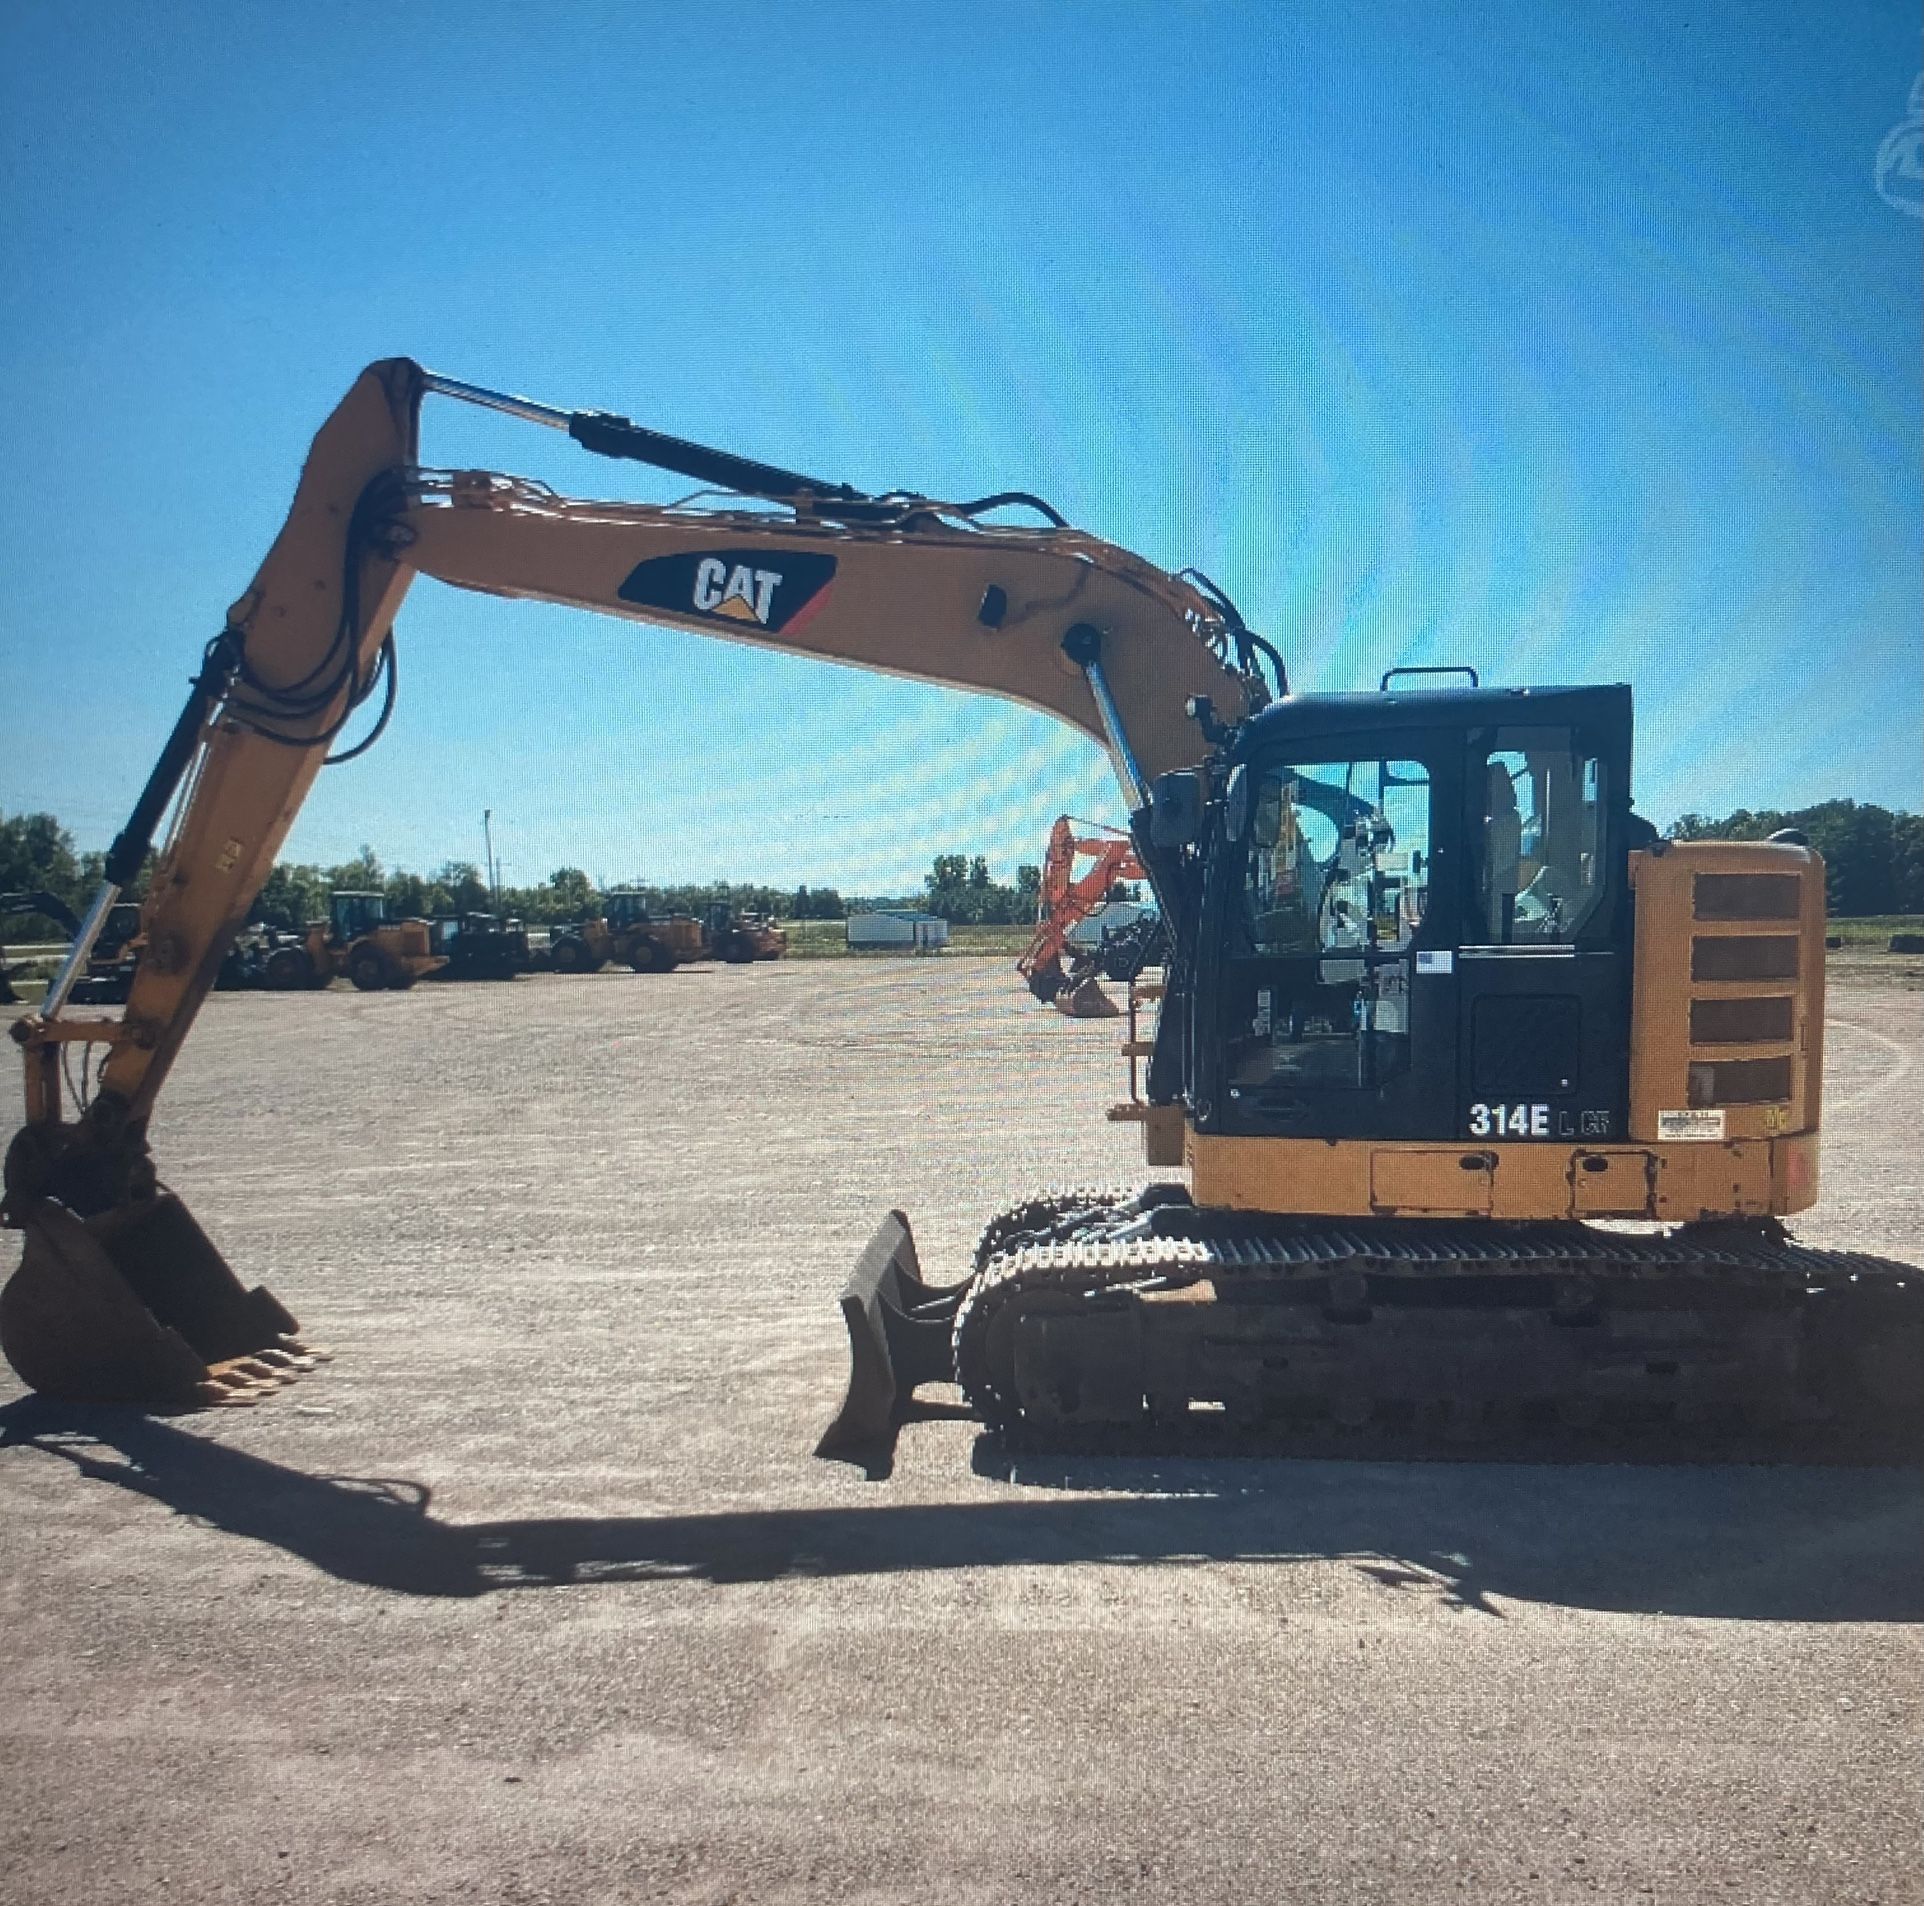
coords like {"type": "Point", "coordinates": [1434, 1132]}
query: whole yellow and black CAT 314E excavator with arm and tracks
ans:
{"type": "Point", "coordinates": [1440, 1011]}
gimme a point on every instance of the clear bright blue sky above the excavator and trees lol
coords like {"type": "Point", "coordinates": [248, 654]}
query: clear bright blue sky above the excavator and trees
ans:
{"type": "Point", "coordinates": [1569, 341]}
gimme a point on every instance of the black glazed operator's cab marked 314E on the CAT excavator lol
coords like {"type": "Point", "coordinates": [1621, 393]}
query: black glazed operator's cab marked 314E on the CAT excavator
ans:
{"type": "Point", "coordinates": [1417, 922]}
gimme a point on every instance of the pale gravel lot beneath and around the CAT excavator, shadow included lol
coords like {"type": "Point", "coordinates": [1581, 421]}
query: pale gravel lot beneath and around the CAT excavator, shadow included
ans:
{"type": "Point", "coordinates": [538, 1593]}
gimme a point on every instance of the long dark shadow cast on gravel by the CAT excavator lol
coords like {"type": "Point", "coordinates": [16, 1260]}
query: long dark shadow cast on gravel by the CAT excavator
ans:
{"type": "Point", "coordinates": [1731, 1543]}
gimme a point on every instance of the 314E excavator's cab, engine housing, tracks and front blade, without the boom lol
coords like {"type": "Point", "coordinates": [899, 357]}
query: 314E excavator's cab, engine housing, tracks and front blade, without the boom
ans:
{"type": "Point", "coordinates": [1438, 1003]}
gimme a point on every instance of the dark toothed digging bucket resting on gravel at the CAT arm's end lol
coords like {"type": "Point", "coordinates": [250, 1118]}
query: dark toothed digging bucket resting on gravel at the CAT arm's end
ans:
{"type": "Point", "coordinates": [138, 1307]}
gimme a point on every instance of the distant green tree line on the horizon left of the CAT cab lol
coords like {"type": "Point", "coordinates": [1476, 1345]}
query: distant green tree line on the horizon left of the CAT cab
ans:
{"type": "Point", "coordinates": [38, 853]}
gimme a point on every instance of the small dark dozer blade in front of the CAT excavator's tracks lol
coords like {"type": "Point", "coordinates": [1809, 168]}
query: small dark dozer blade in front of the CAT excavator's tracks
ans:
{"type": "Point", "coordinates": [899, 1336]}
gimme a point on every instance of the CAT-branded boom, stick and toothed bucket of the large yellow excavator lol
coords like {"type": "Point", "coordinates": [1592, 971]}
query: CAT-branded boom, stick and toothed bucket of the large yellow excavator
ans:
{"type": "Point", "coordinates": [1046, 616]}
